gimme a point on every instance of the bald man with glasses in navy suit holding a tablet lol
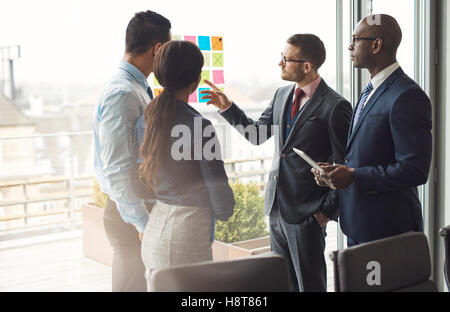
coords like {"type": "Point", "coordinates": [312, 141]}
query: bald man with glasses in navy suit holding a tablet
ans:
{"type": "Point", "coordinates": [389, 146]}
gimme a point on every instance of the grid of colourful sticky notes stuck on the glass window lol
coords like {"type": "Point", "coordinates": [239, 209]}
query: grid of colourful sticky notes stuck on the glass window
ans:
{"type": "Point", "coordinates": [213, 67]}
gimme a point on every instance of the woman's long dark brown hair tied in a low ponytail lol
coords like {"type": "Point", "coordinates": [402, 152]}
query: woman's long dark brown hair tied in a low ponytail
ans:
{"type": "Point", "coordinates": [177, 65]}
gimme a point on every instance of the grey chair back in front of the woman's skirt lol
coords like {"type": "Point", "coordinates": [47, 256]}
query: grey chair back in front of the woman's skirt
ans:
{"type": "Point", "coordinates": [265, 273]}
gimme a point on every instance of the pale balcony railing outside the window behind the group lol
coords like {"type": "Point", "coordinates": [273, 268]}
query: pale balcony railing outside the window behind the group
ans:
{"type": "Point", "coordinates": [31, 202]}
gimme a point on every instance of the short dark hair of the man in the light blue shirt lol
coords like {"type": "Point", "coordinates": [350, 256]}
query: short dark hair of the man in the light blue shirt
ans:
{"type": "Point", "coordinates": [144, 30]}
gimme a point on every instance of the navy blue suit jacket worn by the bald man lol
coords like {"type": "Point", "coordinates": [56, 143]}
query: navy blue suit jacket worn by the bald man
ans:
{"type": "Point", "coordinates": [390, 149]}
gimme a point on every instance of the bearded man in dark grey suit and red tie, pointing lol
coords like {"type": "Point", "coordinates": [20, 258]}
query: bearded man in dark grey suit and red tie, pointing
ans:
{"type": "Point", "coordinates": [312, 117]}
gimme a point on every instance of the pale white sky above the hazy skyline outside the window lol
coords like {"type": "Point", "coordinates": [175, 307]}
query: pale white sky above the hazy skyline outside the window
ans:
{"type": "Point", "coordinates": [80, 42]}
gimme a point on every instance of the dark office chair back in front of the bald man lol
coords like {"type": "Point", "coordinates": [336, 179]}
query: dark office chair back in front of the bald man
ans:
{"type": "Point", "coordinates": [399, 263]}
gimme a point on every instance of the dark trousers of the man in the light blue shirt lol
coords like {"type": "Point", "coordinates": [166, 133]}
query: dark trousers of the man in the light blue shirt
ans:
{"type": "Point", "coordinates": [128, 271]}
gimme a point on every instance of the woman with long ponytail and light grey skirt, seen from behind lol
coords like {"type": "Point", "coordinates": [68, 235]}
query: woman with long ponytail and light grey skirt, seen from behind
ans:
{"type": "Point", "coordinates": [181, 167]}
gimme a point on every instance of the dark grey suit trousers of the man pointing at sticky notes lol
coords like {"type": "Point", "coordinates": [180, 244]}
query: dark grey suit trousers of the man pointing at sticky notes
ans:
{"type": "Point", "coordinates": [303, 246]}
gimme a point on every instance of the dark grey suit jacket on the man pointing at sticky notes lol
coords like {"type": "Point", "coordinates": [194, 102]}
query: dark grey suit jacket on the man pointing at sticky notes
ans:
{"type": "Point", "coordinates": [320, 131]}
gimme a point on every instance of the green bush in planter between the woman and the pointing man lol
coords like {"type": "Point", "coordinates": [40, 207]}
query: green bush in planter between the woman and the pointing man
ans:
{"type": "Point", "coordinates": [248, 220]}
